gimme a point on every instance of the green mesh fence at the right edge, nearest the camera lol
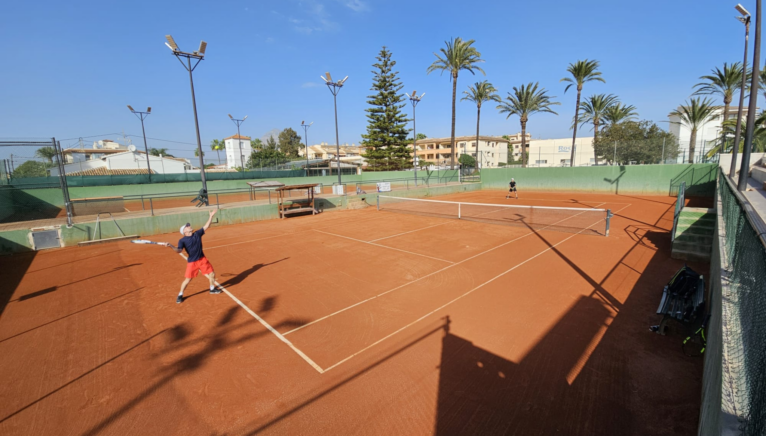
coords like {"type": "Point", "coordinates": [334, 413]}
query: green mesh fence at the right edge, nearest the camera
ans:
{"type": "Point", "coordinates": [742, 309]}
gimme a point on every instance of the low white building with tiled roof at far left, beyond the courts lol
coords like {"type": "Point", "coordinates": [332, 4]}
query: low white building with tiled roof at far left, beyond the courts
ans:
{"type": "Point", "coordinates": [128, 162]}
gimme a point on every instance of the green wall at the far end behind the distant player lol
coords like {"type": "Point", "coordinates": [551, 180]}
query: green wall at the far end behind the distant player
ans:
{"type": "Point", "coordinates": [631, 179]}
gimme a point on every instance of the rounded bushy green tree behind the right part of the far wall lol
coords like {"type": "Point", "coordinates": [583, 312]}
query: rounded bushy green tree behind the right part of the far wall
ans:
{"type": "Point", "coordinates": [631, 141]}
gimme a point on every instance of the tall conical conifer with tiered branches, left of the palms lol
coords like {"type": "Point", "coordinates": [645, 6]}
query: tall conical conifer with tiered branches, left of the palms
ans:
{"type": "Point", "coordinates": [386, 138]}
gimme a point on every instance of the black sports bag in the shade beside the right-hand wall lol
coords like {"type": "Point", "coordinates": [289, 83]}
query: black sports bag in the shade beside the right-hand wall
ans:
{"type": "Point", "coordinates": [682, 299]}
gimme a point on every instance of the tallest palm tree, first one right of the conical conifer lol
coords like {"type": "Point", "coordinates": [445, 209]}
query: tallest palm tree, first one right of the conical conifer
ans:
{"type": "Point", "coordinates": [459, 55]}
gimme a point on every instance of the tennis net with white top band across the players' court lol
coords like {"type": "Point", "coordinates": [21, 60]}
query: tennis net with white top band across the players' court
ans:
{"type": "Point", "coordinates": [562, 219]}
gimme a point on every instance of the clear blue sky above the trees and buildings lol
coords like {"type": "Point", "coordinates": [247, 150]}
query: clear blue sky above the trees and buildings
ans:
{"type": "Point", "coordinates": [70, 68]}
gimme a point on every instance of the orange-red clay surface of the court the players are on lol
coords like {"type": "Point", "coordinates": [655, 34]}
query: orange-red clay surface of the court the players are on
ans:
{"type": "Point", "coordinates": [355, 322]}
